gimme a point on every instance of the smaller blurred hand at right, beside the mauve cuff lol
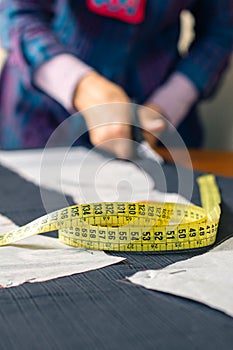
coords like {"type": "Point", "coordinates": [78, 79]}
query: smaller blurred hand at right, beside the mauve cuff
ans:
{"type": "Point", "coordinates": [152, 123]}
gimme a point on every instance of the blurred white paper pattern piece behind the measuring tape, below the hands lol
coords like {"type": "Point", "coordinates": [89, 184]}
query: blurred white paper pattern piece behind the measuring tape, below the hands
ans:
{"type": "Point", "coordinates": [86, 175]}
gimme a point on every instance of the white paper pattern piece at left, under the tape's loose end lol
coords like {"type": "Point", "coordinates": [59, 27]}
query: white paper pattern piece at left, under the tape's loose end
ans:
{"type": "Point", "coordinates": [39, 258]}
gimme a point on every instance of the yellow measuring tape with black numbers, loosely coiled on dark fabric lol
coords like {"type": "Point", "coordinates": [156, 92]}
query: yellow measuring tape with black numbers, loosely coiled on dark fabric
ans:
{"type": "Point", "coordinates": [135, 227]}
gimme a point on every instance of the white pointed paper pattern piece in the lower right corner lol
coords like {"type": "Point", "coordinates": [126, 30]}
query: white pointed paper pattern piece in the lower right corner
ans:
{"type": "Point", "coordinates": [207, 278]}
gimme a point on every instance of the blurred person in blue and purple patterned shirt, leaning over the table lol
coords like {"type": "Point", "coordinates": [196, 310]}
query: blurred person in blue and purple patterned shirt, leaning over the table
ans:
{"type": "Point", "coordinates": [66, 56]}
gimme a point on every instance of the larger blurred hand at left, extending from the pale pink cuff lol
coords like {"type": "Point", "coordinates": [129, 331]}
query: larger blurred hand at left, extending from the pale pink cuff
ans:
{"type": "Point", "coordinates": [107, 121]}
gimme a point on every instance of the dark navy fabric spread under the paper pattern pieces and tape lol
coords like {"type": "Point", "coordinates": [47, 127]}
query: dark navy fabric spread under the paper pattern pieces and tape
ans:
{"type": "Point", "coordinates": [100, 309]}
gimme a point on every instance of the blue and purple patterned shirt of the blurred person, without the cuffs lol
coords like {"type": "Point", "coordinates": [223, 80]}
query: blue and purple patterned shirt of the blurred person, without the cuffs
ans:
{"type": "Point", "coordinates": [140, 57]}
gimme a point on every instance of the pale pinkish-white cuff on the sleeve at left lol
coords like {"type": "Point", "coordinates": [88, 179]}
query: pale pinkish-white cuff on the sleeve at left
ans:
{"type": "Point", "coordinates": [59, 77]}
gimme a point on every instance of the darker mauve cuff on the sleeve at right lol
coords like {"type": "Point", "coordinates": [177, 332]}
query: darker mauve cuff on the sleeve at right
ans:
{"type": "Point", "coordinates": [175, 98]}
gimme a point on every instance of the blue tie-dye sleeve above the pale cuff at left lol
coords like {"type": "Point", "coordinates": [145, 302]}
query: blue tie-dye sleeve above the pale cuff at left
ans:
{"type": "Point", "coordinates": [27, 23]}
